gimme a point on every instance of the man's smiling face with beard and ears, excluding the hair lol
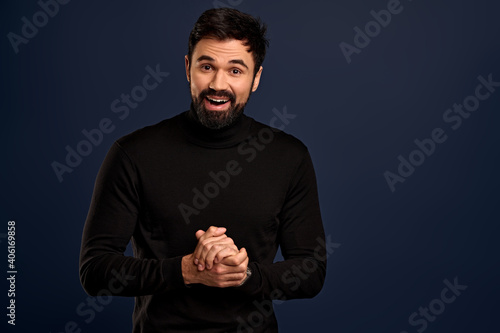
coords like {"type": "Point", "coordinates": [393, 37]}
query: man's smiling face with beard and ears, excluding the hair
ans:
{"type": "Point", "coordinates": [221, 79]}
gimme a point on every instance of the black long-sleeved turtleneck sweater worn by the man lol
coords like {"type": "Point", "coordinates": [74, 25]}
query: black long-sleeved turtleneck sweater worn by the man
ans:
{"type": "Point", "coordinates": [157, 186]}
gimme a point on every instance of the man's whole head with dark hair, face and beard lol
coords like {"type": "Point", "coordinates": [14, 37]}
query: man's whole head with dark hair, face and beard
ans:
{"type": "Point", "coordinates": [224, 64]}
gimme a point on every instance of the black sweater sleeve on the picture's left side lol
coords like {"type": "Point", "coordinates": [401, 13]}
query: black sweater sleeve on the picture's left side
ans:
{"type": "Point", "coordinates": [111, 221]}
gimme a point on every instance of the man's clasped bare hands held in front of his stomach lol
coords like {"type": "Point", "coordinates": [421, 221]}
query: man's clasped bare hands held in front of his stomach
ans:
{"type": "Point", "coordinates": [216, 261]}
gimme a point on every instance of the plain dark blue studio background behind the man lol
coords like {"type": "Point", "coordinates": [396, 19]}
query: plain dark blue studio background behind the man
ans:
{"type": "Point", "coordinates": [395, 248]}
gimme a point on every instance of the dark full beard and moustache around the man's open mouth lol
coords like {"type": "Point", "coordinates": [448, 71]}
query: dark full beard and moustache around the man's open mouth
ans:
{"type": "Point", "coordinates": [217, 119]}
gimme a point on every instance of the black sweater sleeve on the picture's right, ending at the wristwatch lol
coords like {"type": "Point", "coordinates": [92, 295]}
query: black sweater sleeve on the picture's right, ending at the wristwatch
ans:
{"type": "Point", "coordinates": [302, 241]}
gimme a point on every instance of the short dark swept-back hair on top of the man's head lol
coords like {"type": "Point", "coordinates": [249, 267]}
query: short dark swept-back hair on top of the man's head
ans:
{"type": "Point", "coordinates": [228, 23]}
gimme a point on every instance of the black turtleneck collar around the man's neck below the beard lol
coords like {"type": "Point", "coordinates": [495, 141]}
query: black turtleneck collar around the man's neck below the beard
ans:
{"type": "Point", "coordinates": [225, 137]}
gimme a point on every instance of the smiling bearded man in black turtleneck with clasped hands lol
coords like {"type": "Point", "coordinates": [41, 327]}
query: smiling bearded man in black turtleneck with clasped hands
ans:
{"type": "Point", "coordinates": [206, 198]}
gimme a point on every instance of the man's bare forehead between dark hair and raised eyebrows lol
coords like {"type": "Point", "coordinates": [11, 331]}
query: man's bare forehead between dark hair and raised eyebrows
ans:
{"type": "Point", "coordinates": [223, 51]}
